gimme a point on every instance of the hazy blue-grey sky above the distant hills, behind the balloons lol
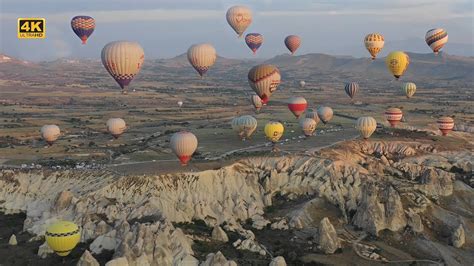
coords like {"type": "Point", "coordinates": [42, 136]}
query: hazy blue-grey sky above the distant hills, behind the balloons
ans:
{"type": "Point", "coordinates": [166, 28]}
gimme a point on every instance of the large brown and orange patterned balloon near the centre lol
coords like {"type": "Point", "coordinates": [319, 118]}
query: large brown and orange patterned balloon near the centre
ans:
{"type": "Point", "coordinates": [264, 80]}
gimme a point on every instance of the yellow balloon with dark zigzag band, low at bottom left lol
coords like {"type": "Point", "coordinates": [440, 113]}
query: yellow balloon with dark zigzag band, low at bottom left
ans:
{"type": "Point", "coordinates": [62, 237]}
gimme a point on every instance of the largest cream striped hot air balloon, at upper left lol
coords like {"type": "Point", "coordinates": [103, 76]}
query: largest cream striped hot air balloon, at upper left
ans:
{"type": "Point", "coordinates": [123, 61]}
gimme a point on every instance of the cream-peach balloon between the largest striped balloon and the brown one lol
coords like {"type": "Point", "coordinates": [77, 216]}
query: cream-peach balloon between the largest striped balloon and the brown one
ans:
{"type": "Point", "coordinates": [202, 57]}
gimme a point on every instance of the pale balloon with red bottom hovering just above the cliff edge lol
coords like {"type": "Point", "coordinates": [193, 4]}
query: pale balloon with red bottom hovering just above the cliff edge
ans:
{"type": "Point", "coordinates": [184, 144]}
